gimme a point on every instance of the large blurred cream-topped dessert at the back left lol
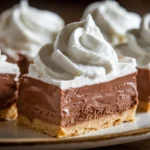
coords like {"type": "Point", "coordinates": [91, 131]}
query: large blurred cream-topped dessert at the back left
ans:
{"type": "Point", "coordinates": [24, 30]}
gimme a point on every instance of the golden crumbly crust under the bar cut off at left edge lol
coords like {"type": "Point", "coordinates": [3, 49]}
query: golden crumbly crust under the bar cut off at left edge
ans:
{"type": "Point", "coordinates": [9, 113]}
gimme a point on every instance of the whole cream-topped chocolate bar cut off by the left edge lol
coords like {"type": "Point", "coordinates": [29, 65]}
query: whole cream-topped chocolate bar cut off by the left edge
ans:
{"type": "Point", "coordinates": [9, 74]}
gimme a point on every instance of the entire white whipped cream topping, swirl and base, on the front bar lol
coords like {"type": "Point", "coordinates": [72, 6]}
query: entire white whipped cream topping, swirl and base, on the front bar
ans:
{"type": "Point", "coordinates": [79, 56]}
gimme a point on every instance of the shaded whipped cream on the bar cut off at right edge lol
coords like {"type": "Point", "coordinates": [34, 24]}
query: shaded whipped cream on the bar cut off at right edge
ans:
{"type": "Point", "coordinates": [138, 45]}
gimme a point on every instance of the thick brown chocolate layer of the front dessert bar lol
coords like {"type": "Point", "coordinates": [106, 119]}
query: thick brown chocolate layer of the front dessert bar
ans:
{"type": "Point", "coordinates": [49, 103]}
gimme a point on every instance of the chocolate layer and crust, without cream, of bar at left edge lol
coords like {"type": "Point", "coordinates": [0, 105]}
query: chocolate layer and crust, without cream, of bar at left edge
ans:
{"type": "Point", "coordinates": [8, 95]}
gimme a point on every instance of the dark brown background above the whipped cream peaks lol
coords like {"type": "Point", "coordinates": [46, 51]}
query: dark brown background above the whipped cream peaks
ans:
{"type": "Point", "coordinates": [71, 10]}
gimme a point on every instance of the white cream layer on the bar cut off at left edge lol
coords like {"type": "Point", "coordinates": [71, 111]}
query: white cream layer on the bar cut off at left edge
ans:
{"type": "Point", "coordinates": [6, 67]}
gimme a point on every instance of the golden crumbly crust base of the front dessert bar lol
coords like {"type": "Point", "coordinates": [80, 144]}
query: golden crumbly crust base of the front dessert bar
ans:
{"type": "Point", "coordinates": [58, 131]}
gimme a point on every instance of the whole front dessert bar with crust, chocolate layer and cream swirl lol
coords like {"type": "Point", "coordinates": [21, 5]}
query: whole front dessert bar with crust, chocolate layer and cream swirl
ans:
{"type": "Point", "coordinates": [77, 84]}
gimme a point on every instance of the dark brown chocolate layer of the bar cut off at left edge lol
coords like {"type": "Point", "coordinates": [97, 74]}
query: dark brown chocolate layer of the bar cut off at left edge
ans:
{"type": "Point", "coordinates": [8, 90]}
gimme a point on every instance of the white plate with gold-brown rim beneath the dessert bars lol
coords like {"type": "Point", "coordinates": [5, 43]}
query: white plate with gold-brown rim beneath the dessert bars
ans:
{"type": "Point", "coordinates": [16, 137]}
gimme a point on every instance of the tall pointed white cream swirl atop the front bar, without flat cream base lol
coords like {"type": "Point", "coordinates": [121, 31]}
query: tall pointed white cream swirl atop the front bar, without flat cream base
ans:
{"type": "Point", "coordinates": [80, 49]}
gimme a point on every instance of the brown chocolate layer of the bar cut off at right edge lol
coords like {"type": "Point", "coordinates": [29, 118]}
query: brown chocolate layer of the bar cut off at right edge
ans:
{"type": "Point", "coordinates": [143, 84]}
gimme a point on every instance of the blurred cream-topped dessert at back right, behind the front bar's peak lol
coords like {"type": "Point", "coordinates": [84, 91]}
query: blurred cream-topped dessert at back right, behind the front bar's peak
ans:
{"type": "Point", "coordinates": [113, 20]}
